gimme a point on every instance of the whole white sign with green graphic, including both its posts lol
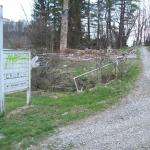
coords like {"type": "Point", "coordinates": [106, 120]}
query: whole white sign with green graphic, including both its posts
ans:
{"type": "Point", "coordinates": [15, 70]}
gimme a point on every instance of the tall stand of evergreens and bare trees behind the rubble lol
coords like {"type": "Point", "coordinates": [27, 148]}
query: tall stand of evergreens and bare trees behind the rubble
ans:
{"type": "Point", "coordinates": [85, 24]}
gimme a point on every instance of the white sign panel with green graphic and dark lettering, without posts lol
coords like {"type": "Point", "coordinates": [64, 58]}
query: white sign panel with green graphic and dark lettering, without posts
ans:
{"type": "Point", "coordinates": [16, 71]}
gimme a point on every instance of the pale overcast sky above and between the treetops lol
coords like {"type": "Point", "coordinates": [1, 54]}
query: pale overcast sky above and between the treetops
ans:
{"type": "Point", "coordinates": [13, 10]}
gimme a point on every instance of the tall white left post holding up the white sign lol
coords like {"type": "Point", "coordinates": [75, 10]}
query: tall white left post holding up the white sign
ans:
{"type": "Point", "coordinates": [1, 62]}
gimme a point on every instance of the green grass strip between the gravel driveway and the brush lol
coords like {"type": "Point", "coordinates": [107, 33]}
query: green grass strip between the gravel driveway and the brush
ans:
{"type": "Point", "coordinates": [33, 124]}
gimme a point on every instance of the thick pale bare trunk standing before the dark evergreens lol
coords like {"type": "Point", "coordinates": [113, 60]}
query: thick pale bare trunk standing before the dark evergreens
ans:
{"type": "Point", "coordinates": [64, 26]}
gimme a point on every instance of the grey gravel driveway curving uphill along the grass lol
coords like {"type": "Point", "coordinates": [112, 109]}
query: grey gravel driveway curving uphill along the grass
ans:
{"type": "Point", "coordinates": [125, 126]}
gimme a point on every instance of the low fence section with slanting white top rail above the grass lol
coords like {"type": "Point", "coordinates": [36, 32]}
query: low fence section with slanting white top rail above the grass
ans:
{"type": "Point", "coordinates": [100, 75]}
